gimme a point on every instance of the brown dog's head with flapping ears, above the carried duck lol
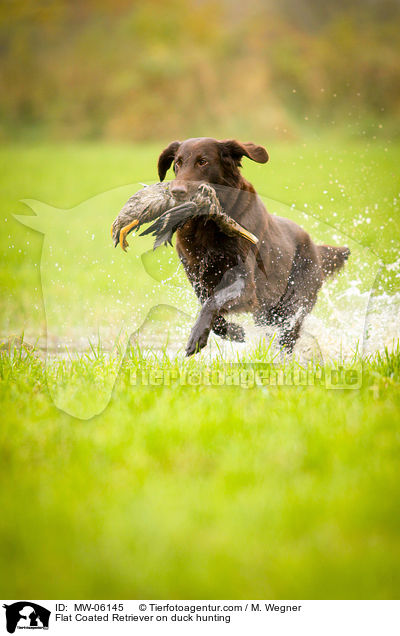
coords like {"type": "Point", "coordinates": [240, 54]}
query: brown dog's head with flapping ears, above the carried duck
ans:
{"type": "Point", "coordinates": [206, 160]}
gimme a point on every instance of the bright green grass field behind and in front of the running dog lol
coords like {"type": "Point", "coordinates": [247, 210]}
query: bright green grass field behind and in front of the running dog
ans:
{"type": "Point", "coordinates": [191, 491]}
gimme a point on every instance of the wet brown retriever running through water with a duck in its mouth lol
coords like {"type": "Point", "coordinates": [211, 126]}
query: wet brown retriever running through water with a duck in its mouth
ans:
{"type": "Point", "coordinates": [277, 280]}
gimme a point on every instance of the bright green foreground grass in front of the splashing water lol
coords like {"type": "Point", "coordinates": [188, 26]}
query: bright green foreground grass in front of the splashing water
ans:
{"type": "Point", "coordinates": [200, 491]}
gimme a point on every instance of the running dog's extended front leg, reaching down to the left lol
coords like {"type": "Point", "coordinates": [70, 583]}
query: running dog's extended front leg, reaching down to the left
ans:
{"type": "Point", "coordinates": [228, 293]}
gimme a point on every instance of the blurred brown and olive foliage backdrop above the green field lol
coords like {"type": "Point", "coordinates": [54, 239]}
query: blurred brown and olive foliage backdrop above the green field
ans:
{"type": "Point", "coordinates": [128, 70]}
